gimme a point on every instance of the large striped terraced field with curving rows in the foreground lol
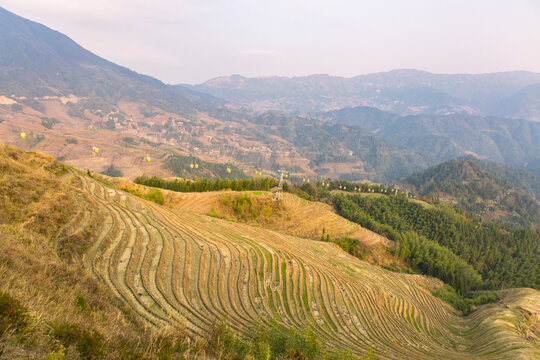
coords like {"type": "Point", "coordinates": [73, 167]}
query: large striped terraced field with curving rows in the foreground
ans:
{"type": "Point", "coordinates": [172, 265]}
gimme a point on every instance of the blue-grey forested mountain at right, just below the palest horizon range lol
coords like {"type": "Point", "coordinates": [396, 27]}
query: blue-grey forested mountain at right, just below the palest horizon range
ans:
{"type": "Point", "coordinates": [441, 138]}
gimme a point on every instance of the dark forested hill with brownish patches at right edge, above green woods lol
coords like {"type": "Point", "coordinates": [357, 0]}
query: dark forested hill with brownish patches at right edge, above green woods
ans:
{"type": "Point", "coordinates": [467, 185]}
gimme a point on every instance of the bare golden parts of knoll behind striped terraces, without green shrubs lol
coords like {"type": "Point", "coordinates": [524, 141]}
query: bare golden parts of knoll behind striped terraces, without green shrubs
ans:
{"type": "Point", "coordinates": [295, 216]}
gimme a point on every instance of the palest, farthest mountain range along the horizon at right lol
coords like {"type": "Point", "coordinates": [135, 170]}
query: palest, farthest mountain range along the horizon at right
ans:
{"type": "Point", "coordinates": [406, 92]}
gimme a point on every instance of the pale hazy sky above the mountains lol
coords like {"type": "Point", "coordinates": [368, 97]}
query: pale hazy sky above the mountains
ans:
{"type": "Point", "coordinates": [188, 41]}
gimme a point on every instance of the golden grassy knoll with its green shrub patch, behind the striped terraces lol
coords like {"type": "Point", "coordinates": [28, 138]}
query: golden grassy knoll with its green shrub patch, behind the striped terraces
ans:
{"type": "Point", "coordinates": [295, 216]}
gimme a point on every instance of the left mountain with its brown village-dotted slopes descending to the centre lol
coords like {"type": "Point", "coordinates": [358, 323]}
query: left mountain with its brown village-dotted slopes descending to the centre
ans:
{"type": "Point", "coordinates": [38, 63]}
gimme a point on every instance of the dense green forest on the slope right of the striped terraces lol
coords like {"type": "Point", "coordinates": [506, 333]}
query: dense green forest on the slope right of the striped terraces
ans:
{"type": "Point", "coordinates": [438, 240]}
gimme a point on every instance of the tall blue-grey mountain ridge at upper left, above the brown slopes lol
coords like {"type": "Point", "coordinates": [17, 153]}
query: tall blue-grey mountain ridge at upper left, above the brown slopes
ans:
{"type": "Point", "coordinates": [36, 60]}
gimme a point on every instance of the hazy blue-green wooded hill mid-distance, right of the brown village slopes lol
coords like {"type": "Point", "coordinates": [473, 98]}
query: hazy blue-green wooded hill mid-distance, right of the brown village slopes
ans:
{"type": "Point", "coordinates": [366, 156]}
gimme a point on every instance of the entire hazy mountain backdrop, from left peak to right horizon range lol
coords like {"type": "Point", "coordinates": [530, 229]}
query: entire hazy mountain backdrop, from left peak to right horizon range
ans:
{"type": "Point", "coordinates": [38, 64]}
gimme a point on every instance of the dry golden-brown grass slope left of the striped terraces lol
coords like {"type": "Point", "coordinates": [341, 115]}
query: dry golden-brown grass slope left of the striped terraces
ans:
{"type": "Point", "coordinates": [43, 236]}
